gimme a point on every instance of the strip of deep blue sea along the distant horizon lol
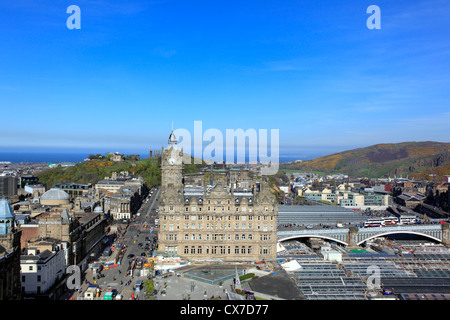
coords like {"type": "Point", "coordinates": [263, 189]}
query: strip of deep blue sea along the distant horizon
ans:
{"type": "Point", "coordinates": [58, 157]}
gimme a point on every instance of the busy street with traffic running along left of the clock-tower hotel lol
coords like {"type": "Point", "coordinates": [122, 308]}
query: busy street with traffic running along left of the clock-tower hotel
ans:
{"type": "Point", "coordinates": [134, 239]}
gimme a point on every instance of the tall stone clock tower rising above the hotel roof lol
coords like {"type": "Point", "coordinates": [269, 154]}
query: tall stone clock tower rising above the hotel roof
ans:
{"type": "Point", "coordinates": [171, 166]}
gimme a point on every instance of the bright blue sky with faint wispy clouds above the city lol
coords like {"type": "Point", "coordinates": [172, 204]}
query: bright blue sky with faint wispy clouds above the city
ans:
{"type": "Point", "coordinates": [311, 69]}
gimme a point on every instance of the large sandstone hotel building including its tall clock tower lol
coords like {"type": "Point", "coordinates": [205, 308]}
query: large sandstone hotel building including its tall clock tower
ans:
{"type": "Point", "coordinates": [214, 215]}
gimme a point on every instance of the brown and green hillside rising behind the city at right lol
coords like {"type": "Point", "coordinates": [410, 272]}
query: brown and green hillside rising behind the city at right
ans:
{"type": "Point", "coordinates": [415, 159]}
